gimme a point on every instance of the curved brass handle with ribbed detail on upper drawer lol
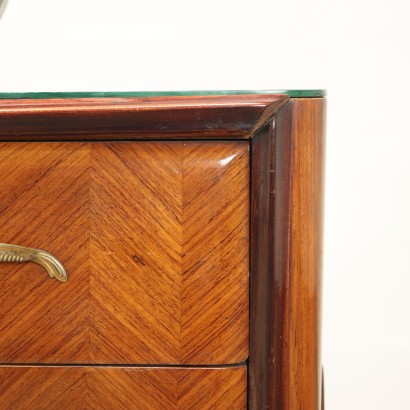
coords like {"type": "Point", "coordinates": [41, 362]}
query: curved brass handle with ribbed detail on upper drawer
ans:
{"type": "Point", "coordinates": [14, 253]}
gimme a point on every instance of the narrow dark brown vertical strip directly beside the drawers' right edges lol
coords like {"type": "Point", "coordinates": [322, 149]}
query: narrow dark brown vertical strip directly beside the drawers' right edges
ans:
{"type": "Point", "coordinates": [261, 251]}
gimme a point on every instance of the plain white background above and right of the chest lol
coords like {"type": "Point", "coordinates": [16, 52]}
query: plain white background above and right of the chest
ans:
{"type": "Point", "coordinates": [358, 50]}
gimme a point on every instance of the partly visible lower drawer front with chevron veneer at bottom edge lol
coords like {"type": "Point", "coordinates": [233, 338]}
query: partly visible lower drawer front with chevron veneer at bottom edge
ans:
{"type": "Point", "coordinates": [75, 388]}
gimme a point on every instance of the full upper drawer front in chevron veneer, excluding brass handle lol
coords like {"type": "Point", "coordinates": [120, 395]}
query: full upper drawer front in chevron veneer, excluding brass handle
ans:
{"type": "Point", "coordinates": [154, 237]}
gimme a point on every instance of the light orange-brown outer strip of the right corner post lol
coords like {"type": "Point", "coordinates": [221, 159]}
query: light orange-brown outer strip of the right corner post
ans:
{"type": "Point", "coordinates": [305, 264]}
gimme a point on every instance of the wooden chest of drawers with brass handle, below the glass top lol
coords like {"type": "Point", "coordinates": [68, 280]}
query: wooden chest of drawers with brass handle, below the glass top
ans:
{"type": "Point", "coordinates": [182, 238]}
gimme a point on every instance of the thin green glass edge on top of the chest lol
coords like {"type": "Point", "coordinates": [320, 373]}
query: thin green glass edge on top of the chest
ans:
{"type": "Point", "coordinates": [141, 94]}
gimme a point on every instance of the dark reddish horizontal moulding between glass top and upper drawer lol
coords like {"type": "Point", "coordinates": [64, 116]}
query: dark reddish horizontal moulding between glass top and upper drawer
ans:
{"type": "Point", "coordinates": [180, 117]}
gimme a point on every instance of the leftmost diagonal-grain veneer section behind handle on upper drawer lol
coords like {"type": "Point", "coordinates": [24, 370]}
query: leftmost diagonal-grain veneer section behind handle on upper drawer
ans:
{"type": "Point", "coordinates": [44, 204]}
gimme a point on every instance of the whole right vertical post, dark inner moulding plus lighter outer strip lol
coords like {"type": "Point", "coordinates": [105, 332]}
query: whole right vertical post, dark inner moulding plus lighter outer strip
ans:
{"type": "Point", "coordinates": [286, 221]}
